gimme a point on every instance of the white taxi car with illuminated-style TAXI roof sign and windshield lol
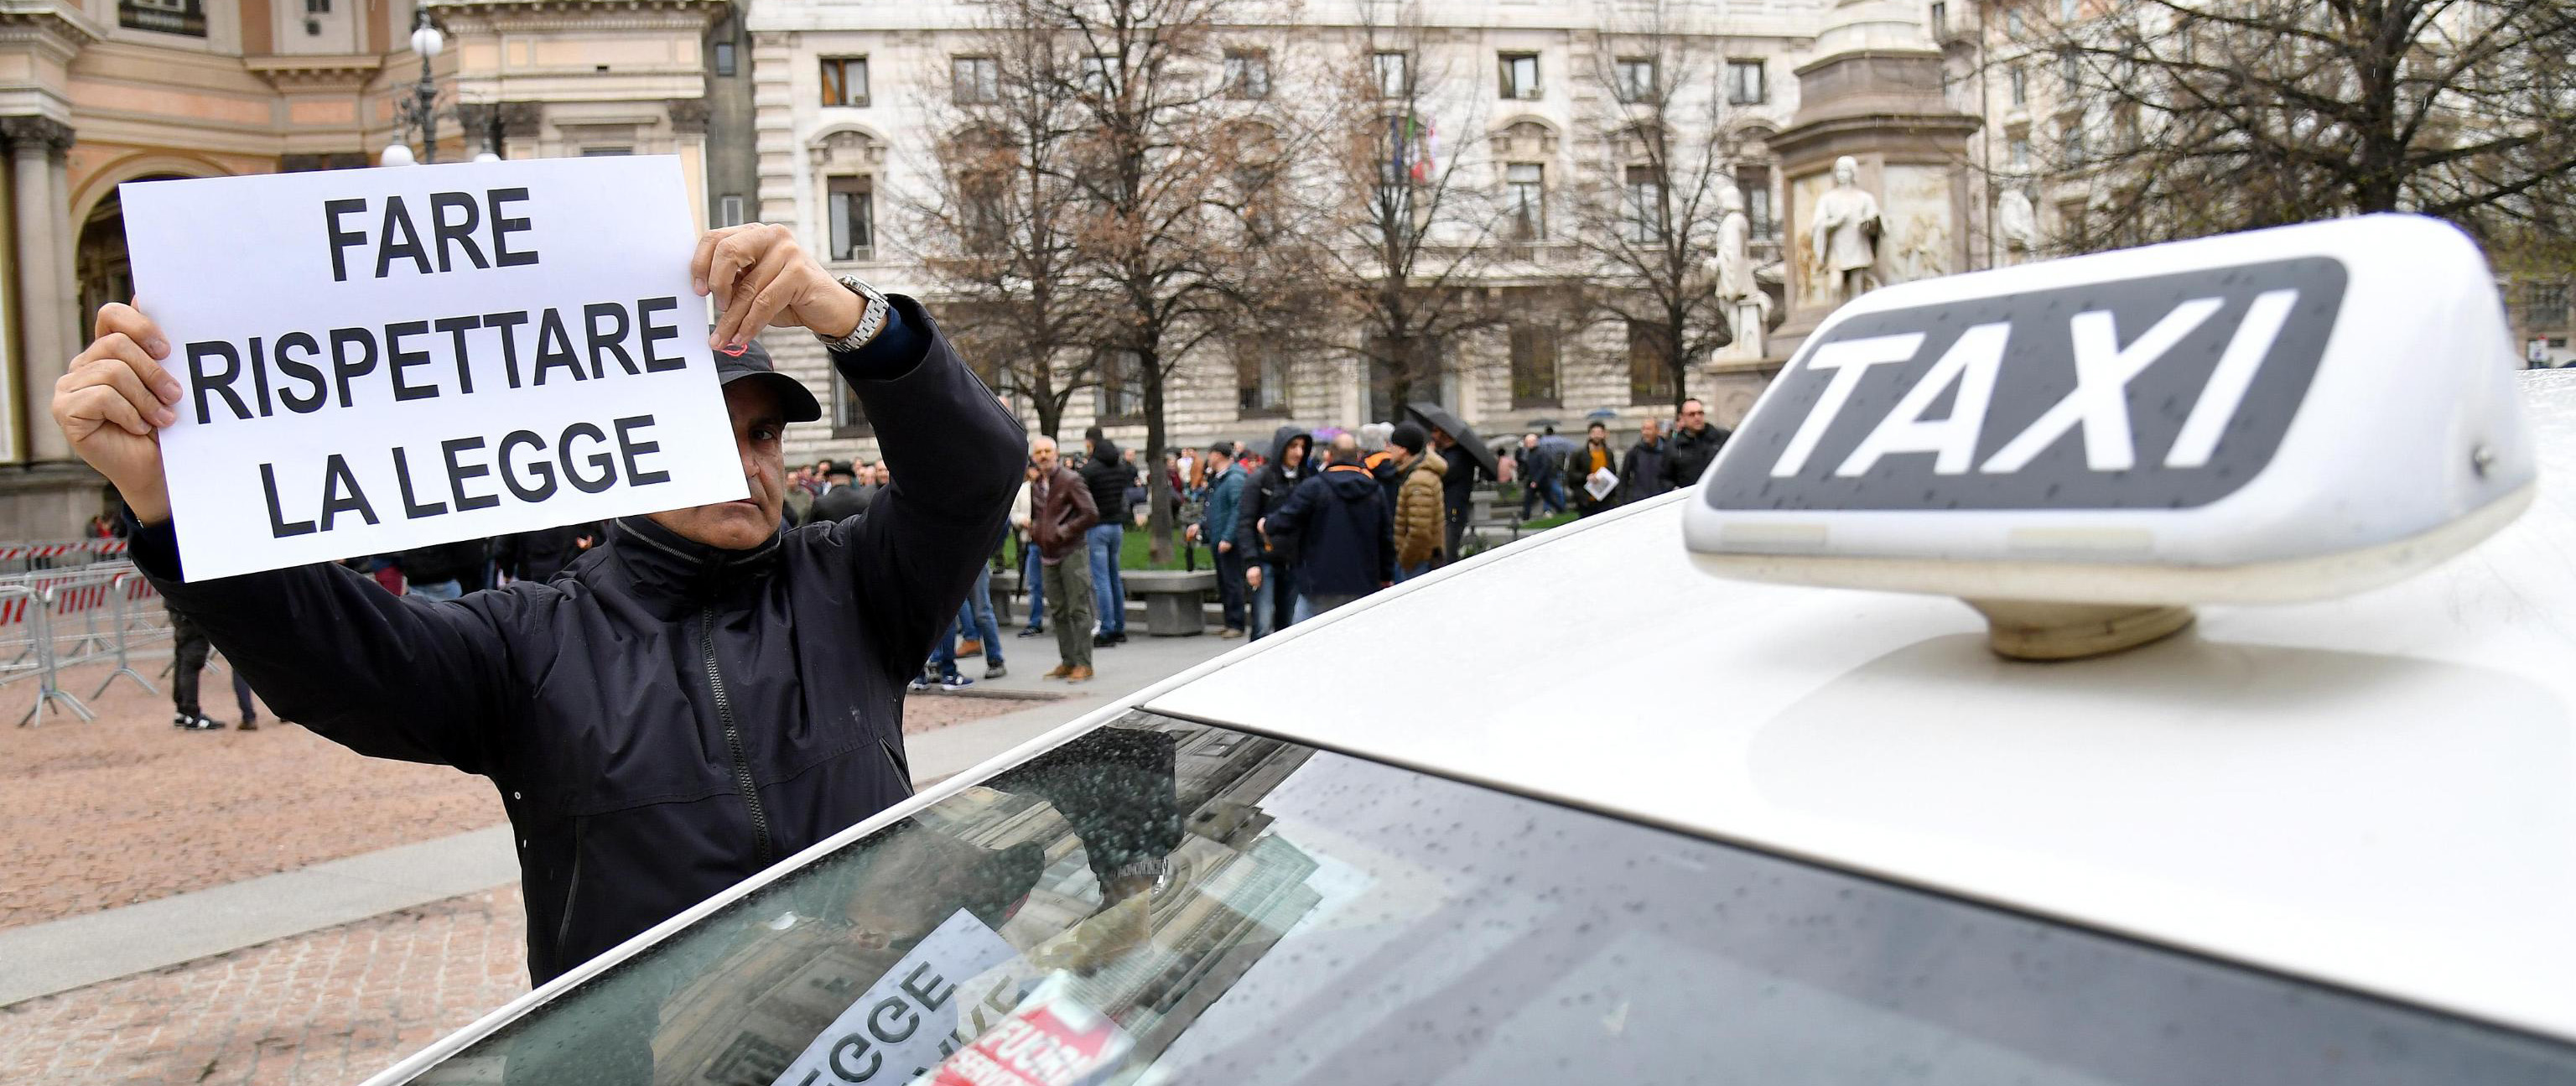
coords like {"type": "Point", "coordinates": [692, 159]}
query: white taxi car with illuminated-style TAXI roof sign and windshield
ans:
{"type": "Point", "coordinates": [2250, 760]}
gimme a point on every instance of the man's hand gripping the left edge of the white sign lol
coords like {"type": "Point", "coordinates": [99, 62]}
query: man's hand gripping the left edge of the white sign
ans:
{"type": "Point", "coordinates": [112, 405]}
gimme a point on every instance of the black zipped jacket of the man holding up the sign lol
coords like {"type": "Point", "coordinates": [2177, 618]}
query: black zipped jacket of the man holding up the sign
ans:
{"type": "Point", "coordinates": [666, 719]}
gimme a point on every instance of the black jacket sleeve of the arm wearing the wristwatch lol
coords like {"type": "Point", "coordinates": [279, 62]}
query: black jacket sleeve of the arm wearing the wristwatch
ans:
{"type": "Point", "coordinates": [954, 457]}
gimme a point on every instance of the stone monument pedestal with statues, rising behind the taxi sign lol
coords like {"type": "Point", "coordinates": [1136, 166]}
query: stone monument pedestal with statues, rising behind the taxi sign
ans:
{"type": "Point", "coordinates": [1879, 102]}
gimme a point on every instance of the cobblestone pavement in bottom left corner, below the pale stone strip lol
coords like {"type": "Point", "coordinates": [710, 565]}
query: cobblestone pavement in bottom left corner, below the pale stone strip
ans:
{"type": "Point", "coordinates": [323, 1008]}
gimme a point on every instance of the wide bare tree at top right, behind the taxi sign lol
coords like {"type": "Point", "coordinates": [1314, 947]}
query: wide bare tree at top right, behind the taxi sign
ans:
{"type": "Point", "coordinates": [2183, 117]}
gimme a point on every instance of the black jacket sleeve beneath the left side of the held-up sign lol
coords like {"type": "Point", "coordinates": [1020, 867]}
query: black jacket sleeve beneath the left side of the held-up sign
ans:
{"type": "Point", "coordinates": [401, 678]}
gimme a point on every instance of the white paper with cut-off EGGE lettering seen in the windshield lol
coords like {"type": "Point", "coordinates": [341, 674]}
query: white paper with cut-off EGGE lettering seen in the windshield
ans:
{"type": "Point", "coordinates": [903, 1023]}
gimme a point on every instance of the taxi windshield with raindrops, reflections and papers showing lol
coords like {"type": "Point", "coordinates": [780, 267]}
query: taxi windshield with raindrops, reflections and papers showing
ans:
{"type": "Point", "coordinates": [1168, 902]}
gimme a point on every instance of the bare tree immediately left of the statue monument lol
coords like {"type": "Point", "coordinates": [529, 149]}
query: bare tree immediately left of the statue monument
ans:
{"type": "Point", "coordinates": [1650, 212]}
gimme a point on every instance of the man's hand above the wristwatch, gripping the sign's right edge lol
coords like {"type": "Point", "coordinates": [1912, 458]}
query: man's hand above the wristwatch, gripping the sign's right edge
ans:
{"type": "Point", "coordinates": [761, 277]}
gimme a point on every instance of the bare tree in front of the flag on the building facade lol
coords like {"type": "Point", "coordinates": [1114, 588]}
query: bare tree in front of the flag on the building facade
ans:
{"type": "Point", "coordinates": [1410, 212]}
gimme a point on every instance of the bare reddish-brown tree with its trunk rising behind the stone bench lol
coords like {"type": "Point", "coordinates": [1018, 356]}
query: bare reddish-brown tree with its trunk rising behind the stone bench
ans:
{"type": "Point", "coordinates": [1160, 161]}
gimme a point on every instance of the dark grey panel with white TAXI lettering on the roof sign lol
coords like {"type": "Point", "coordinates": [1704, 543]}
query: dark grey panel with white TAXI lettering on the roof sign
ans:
{"type": "Point", "coordinates": [2157, 392]}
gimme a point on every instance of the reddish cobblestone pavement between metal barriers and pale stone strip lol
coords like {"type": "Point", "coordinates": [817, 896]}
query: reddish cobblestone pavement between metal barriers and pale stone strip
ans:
{"type": "Point", "coordinates": [128, 809]}
